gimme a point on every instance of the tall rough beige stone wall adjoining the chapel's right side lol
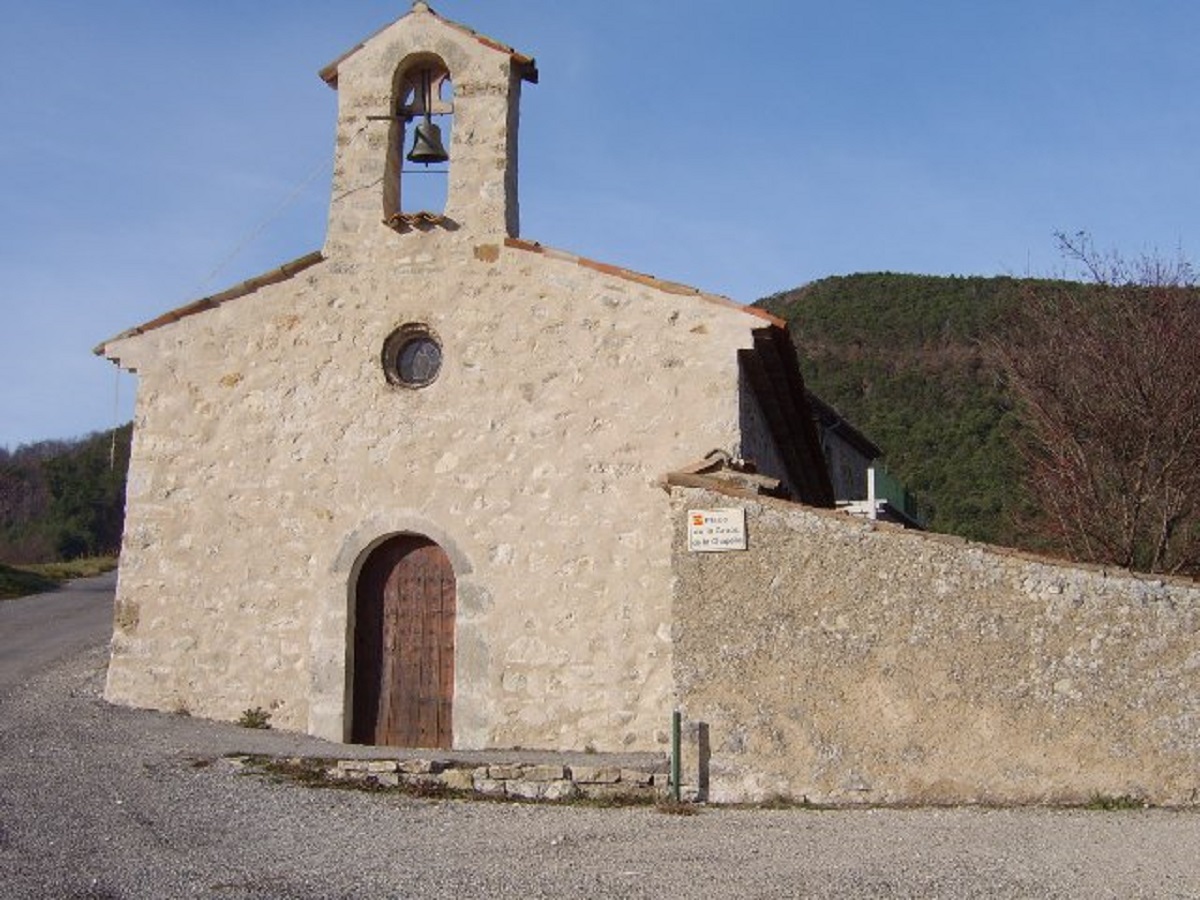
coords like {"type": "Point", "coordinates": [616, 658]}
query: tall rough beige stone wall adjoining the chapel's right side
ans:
{"type": "Point", "coordinates": [847, 663]}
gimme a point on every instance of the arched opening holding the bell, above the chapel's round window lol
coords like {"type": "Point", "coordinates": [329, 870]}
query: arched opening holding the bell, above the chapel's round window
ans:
{"type": "Point", "coordinates": [417, 177]}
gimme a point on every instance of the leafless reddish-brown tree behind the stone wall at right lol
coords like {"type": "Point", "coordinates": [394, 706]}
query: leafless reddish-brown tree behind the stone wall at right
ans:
{"type": "Point", "coordinates": [1107, 379]}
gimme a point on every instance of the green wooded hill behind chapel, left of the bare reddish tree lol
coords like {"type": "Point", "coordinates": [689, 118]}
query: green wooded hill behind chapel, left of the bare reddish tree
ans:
{"type": "Point", "coordinates": [902, 357]}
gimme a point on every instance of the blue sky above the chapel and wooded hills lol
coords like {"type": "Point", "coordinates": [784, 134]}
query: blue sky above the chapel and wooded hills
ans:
{"type": "Point", "coordinates": [157, 152]}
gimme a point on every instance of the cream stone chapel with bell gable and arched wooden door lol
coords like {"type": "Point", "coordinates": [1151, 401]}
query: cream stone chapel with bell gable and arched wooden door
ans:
{"type": "Point", "coordinates": [409, 490]}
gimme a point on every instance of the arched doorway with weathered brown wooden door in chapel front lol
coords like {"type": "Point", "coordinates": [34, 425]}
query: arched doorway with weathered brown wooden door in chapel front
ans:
{"type": "Point", "coordinates": [404, 646]}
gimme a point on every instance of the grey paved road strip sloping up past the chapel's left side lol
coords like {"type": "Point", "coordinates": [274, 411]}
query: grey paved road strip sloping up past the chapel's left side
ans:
{"type": "Point", "coordinates": [38, 632]}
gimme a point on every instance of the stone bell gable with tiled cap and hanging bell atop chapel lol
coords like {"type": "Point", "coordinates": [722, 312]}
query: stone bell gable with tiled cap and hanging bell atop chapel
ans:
{"type": "Point", "coordinates": [427, 109]}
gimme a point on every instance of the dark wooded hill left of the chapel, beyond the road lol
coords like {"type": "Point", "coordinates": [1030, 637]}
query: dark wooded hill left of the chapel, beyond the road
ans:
{"type": "Point", "coordinates": [64, 500]}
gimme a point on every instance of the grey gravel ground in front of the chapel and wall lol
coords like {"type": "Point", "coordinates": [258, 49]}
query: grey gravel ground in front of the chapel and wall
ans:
{"type": "Point", "coordinates": [104, 802]}
